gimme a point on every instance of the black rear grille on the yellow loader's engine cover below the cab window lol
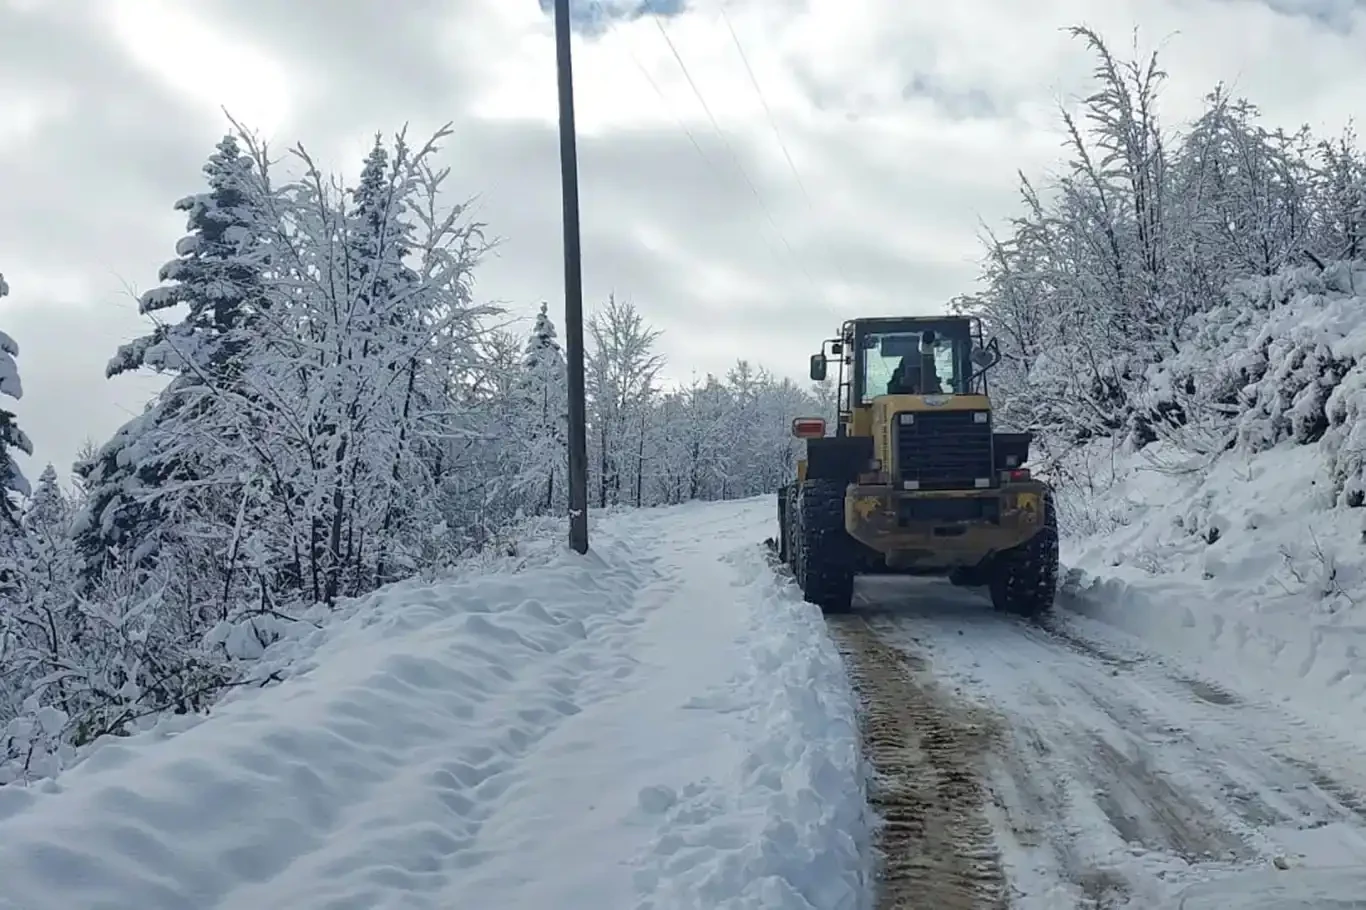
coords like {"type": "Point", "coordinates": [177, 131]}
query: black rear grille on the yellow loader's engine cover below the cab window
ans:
{"type": "Point", "coordinates": [945, 450]}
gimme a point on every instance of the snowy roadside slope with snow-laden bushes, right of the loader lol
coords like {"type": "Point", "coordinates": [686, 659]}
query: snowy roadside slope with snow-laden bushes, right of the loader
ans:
{"type": "Point", "coordinates": [1237, 542]}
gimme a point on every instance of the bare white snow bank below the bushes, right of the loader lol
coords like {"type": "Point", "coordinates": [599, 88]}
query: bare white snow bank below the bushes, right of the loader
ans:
{"type": "Point", "coordinates": [1244, 568]}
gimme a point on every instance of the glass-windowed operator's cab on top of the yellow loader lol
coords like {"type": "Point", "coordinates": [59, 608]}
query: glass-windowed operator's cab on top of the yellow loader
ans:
{"type": "Point", "coordinates": [904, 356]}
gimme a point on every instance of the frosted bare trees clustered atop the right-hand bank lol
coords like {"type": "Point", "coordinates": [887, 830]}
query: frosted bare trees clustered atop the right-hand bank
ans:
{"type": "Point", "coordinates": [1189, 286]}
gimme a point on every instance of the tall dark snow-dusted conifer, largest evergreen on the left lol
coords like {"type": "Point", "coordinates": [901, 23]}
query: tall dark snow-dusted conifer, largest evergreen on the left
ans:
{"type": "Point", "coordinates": [167, 464]}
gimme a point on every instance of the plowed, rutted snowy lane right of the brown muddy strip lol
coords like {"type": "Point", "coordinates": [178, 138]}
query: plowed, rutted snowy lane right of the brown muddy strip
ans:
{"type": "Point", "coordinates": [1117, 780]}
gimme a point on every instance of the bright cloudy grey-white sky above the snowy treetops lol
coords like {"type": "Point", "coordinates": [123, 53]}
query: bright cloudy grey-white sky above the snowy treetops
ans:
{"type": "Point", "coordinates": [905, 124]}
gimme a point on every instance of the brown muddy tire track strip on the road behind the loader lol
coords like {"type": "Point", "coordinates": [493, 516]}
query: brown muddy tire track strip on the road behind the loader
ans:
{"type": "Point", "coordinates": [927, 749]}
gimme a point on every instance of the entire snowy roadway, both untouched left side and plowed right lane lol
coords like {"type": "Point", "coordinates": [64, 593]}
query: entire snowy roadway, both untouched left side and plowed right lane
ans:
{"type": "Point", "coordinates": [665, 725]}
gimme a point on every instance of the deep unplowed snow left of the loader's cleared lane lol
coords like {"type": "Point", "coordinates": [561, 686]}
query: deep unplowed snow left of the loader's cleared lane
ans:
{"type": "Point", "coordinates": [660, 723]}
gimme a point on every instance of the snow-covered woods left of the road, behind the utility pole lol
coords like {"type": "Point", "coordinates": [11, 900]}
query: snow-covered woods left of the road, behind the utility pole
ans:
{"type": "Point", "coordinates": [341, 413]}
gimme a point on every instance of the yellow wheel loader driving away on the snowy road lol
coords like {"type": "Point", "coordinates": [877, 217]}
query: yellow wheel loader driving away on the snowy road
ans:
{"type": "Point", "coordinates": [916, 480]}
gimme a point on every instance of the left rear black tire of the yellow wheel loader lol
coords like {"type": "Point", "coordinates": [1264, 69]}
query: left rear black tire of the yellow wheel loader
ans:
{"type": "Point", "coordinates": [823, 555]}
